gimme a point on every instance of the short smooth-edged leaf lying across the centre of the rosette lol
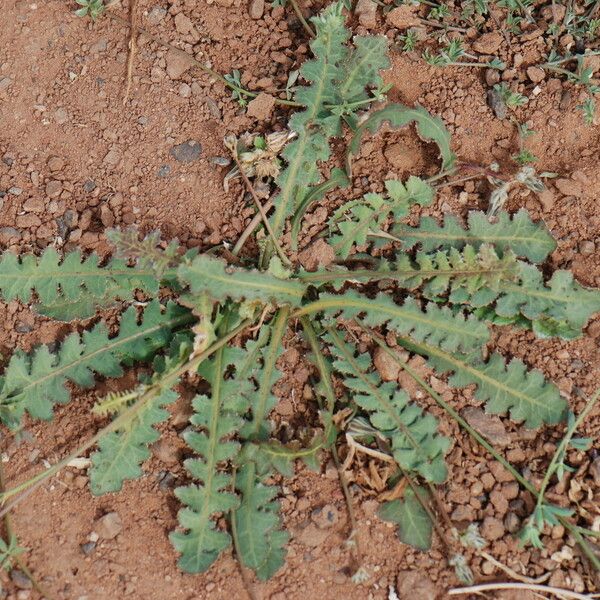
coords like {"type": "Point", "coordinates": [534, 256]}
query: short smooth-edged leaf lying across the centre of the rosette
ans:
{"type": "Point", "coordinates": [208, 275]}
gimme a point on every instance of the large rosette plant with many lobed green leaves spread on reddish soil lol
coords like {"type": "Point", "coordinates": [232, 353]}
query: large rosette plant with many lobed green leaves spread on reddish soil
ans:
{"type": "Point", "coordinates": [431, 288]}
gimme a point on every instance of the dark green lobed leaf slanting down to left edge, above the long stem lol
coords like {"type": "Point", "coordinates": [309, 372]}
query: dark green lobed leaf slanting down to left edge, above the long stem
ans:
{"type": "Point", "coordinates": [36, 381]}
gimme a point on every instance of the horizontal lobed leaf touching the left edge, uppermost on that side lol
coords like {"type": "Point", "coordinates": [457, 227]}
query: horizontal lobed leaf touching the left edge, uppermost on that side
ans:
{"type": "Point", "coordinates": [72, 286]}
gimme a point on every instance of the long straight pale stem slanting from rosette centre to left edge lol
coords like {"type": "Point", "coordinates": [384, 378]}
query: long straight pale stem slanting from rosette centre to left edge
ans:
{"type": "Point", "coordinates": [25, 489]}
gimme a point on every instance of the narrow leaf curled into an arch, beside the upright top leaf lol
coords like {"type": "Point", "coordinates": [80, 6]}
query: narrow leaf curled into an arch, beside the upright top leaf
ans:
{"type": "Point", "coordinates": [430, 128]}
